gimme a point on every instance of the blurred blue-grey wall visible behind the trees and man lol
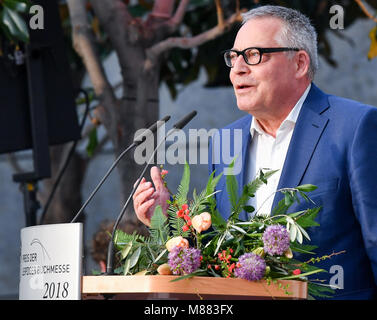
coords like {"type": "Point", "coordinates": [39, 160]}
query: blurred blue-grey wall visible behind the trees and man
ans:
{"type": "Point", "coordinates": [355, 78]}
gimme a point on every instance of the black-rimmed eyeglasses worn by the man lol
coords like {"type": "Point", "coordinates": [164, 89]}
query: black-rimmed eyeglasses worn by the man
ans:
{"type": "Point", "coordinates": [252, 56]}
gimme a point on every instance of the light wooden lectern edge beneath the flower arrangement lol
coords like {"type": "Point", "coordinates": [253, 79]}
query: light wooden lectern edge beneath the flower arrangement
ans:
{"type": "Point", "coordinates": [207, 288]}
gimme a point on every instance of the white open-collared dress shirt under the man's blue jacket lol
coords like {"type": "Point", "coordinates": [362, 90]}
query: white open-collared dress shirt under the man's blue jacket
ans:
{"type": "Point", "coordinates": [268, 153]}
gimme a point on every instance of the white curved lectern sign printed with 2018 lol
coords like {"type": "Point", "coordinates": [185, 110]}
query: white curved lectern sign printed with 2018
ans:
{"type": "Point", "coordinates": [51, 262]}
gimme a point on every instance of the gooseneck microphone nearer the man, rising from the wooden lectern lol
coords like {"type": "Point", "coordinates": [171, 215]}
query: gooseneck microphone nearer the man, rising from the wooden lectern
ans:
{"type": "Point", "coordinates": [110, 250]}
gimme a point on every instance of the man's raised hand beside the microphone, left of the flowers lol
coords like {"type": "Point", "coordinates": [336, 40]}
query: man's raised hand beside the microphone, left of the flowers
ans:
{"type": "Point", "coordinates": [147, 197]}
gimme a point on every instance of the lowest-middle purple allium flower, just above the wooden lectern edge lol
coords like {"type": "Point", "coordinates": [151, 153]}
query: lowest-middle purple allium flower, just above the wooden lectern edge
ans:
{"type": "Point", "coordinates": [251, 267]}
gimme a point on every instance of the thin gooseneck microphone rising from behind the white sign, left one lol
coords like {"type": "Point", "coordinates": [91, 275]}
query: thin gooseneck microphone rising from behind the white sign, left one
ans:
{"type": "Point", "coordinates": [151, 130]}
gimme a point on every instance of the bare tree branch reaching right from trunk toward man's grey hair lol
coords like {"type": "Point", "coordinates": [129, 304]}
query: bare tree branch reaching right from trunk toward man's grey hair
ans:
{"type": "Point", "coordinates": [188, 42]}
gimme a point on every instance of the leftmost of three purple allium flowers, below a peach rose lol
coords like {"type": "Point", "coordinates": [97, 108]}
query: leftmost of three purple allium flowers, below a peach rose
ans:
{"type": "Point", "coordinates": [184, 260]}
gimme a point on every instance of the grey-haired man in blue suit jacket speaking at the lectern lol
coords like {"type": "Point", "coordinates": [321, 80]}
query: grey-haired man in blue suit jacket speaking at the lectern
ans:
{"type": "Point", "coordinates": [311, 137]}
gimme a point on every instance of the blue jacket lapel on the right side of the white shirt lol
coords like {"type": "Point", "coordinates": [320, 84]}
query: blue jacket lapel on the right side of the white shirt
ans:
{"type": "Point", "coordinates": [309, 128]}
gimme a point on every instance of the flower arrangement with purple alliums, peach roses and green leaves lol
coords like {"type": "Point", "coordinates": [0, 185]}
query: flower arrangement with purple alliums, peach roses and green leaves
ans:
{"type": "Point", "coordinates": [194, 240]}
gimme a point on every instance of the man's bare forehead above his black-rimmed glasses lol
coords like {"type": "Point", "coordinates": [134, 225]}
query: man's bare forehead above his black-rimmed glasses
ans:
{"type": "Point", "coordinates": [258, 32]}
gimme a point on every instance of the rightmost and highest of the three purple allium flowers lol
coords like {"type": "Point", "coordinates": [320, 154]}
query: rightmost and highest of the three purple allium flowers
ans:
{"type": "Point", "coordinates": [276, 240]}
